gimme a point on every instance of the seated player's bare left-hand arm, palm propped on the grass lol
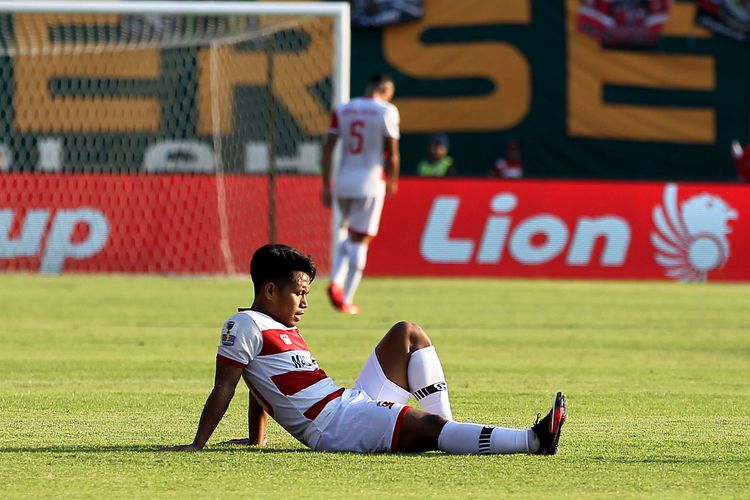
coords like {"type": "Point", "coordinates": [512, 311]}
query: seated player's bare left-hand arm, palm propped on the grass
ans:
{"type": "Point", "coordinates": [225, 383]}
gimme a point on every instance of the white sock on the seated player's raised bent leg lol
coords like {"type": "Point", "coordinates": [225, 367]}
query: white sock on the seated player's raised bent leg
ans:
{"type": "Point", "coordinates": [427, 382]}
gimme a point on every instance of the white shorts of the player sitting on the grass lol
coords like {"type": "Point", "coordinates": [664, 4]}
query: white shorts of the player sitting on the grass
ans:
{"type": "Point", "coordinates": [369, 416]}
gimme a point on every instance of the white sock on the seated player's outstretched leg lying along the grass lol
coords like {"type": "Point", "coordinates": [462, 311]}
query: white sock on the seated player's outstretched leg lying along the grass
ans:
{"type": "Point", "coordinates": [463, 438]}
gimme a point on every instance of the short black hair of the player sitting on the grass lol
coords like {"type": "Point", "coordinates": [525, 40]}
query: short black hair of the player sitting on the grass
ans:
{"type": "Point", "coordinates": [276, 263]}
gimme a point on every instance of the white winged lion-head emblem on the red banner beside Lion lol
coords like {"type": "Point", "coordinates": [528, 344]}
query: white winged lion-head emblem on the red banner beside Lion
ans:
{"type": "Point", "coordinates": [691, 237]}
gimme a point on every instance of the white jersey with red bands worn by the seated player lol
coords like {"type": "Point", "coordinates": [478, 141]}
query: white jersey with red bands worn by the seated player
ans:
{"type": "Point", "coordinates": [281, 373]}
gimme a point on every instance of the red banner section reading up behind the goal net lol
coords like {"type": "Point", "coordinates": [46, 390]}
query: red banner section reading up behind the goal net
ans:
{"type": "Point", "coordinates": [154, 223]}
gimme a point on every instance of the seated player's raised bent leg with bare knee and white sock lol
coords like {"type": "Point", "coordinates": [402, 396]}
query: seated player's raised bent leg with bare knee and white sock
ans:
{"type": "Point", "coordinates": [408, 359]}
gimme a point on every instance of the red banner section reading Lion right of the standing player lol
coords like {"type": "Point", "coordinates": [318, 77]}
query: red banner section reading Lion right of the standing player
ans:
{"type": "Point", "coordinates": [560, 229]}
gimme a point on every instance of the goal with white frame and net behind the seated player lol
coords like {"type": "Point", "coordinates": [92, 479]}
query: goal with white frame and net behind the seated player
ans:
{"type": "Point", "coordinates": [167, 137]}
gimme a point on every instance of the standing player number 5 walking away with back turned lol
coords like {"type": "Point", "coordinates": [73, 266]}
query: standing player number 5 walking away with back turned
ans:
{"type": "Point", "coordinates": [369, 129]}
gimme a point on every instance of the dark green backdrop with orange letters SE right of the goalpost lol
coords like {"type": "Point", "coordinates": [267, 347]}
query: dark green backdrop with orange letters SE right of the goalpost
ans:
{"type": "Point", "coordinates": [694, 87]}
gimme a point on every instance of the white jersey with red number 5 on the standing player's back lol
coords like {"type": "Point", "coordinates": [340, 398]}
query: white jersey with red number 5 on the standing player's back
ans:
{"type": "Point", "coordinates": [363, 124]}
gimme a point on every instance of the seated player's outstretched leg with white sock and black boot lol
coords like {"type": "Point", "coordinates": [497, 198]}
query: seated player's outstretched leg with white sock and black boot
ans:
{"type": "Point", "coordinates": [421, 431]}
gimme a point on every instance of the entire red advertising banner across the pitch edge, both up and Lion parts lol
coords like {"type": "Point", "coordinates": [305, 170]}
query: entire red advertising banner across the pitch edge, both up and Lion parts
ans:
{"type": "Point", "coordinates": [433, 227]}
